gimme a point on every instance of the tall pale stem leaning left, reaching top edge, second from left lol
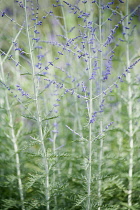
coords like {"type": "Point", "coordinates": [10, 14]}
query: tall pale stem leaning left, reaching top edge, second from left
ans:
{"type": "Point", "coordinates": [38, 113]}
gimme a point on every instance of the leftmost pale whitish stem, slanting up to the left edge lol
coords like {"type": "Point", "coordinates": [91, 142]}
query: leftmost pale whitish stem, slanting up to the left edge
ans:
{"type": "Point", "coordinates": [14, 141]}
